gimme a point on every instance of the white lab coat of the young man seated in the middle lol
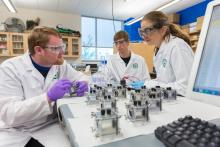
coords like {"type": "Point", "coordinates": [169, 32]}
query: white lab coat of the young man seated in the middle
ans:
{"type": "Point", "coordinates": [136, 69]}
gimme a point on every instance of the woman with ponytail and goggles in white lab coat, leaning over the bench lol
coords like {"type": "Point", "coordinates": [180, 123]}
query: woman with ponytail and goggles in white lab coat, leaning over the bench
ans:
{"type": "Point", "coordinates": [173, 55]}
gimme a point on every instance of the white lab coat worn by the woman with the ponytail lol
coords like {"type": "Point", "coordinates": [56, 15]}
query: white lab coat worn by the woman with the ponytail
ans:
{"type": "Point", "coordinates": [173, 64]}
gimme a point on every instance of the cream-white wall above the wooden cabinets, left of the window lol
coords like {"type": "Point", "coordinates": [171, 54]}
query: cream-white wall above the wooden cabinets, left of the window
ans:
{"type": "Point", "coordinates": [47, 18]}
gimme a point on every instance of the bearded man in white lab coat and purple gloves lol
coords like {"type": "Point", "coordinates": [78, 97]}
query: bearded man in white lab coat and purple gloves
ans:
{"type": "Point", "coordinates": [29, 86]}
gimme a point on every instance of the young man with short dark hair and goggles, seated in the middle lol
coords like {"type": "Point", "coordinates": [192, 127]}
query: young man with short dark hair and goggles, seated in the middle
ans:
{"type": "Point", "coordinates": [125, 64]}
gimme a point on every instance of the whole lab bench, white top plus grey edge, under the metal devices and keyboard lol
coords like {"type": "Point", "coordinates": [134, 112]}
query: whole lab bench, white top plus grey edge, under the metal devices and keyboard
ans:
{"type": "Point", "coordinates": [75, 117]}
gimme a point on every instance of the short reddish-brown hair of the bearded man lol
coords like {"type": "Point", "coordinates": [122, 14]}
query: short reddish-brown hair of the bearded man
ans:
{"type": "Point", "coordinates": [39, 36]}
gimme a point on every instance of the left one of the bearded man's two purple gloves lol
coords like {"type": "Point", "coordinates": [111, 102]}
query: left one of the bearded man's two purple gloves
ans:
{"type": "Point", "coordinates": [58, 90]}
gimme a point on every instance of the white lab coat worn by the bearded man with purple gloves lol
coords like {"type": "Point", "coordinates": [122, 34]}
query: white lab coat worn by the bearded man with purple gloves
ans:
{"type": "Point", "coordinates": [23, 102]}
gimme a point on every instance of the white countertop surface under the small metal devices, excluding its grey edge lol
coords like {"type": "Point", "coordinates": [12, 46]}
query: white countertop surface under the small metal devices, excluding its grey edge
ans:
{"type": "Point", "coordinates": [82, 122]}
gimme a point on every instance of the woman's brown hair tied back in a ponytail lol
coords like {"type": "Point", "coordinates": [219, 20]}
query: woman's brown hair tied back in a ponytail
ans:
{"type": "Point", "coordinates": [160, 19]}
